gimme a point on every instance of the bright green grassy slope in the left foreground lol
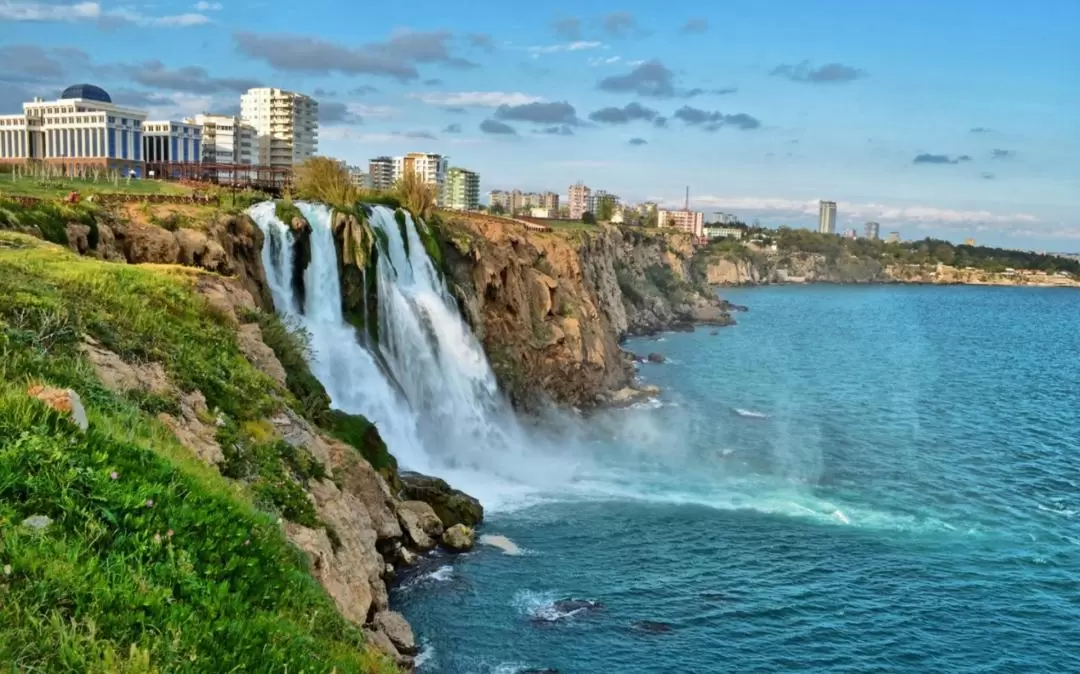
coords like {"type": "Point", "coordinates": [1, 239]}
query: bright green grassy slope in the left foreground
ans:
{"type": "Point", "coordinates": [154, 562]}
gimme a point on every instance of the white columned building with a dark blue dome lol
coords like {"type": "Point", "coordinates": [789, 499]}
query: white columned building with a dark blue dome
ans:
{"type": "Point", "coordinates": [83, 130]}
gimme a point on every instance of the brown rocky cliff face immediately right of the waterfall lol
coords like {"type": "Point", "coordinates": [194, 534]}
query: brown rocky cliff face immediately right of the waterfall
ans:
{"type": "Point", "coordinates": [551, 308]}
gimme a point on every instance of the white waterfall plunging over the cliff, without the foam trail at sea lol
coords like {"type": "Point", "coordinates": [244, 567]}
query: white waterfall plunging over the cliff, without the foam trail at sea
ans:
{"type": "Point", "coordinates": [445, 416]}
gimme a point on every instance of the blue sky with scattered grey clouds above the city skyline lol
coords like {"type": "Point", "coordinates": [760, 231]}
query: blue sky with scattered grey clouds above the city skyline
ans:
{"type": "Point", "coordinates": [946, 118]}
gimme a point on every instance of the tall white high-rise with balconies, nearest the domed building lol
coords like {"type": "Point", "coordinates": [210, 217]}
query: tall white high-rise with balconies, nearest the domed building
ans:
{"type": "Point", "coordinates": [287, 124]}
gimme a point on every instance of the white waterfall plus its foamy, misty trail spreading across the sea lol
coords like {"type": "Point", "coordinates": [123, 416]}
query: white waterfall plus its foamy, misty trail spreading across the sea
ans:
{"type": "Point", "coordinates": [429, 388]}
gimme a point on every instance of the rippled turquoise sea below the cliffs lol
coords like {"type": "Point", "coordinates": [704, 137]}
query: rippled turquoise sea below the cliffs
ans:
{"type": "Point", "coordinates": [852, 480]}
